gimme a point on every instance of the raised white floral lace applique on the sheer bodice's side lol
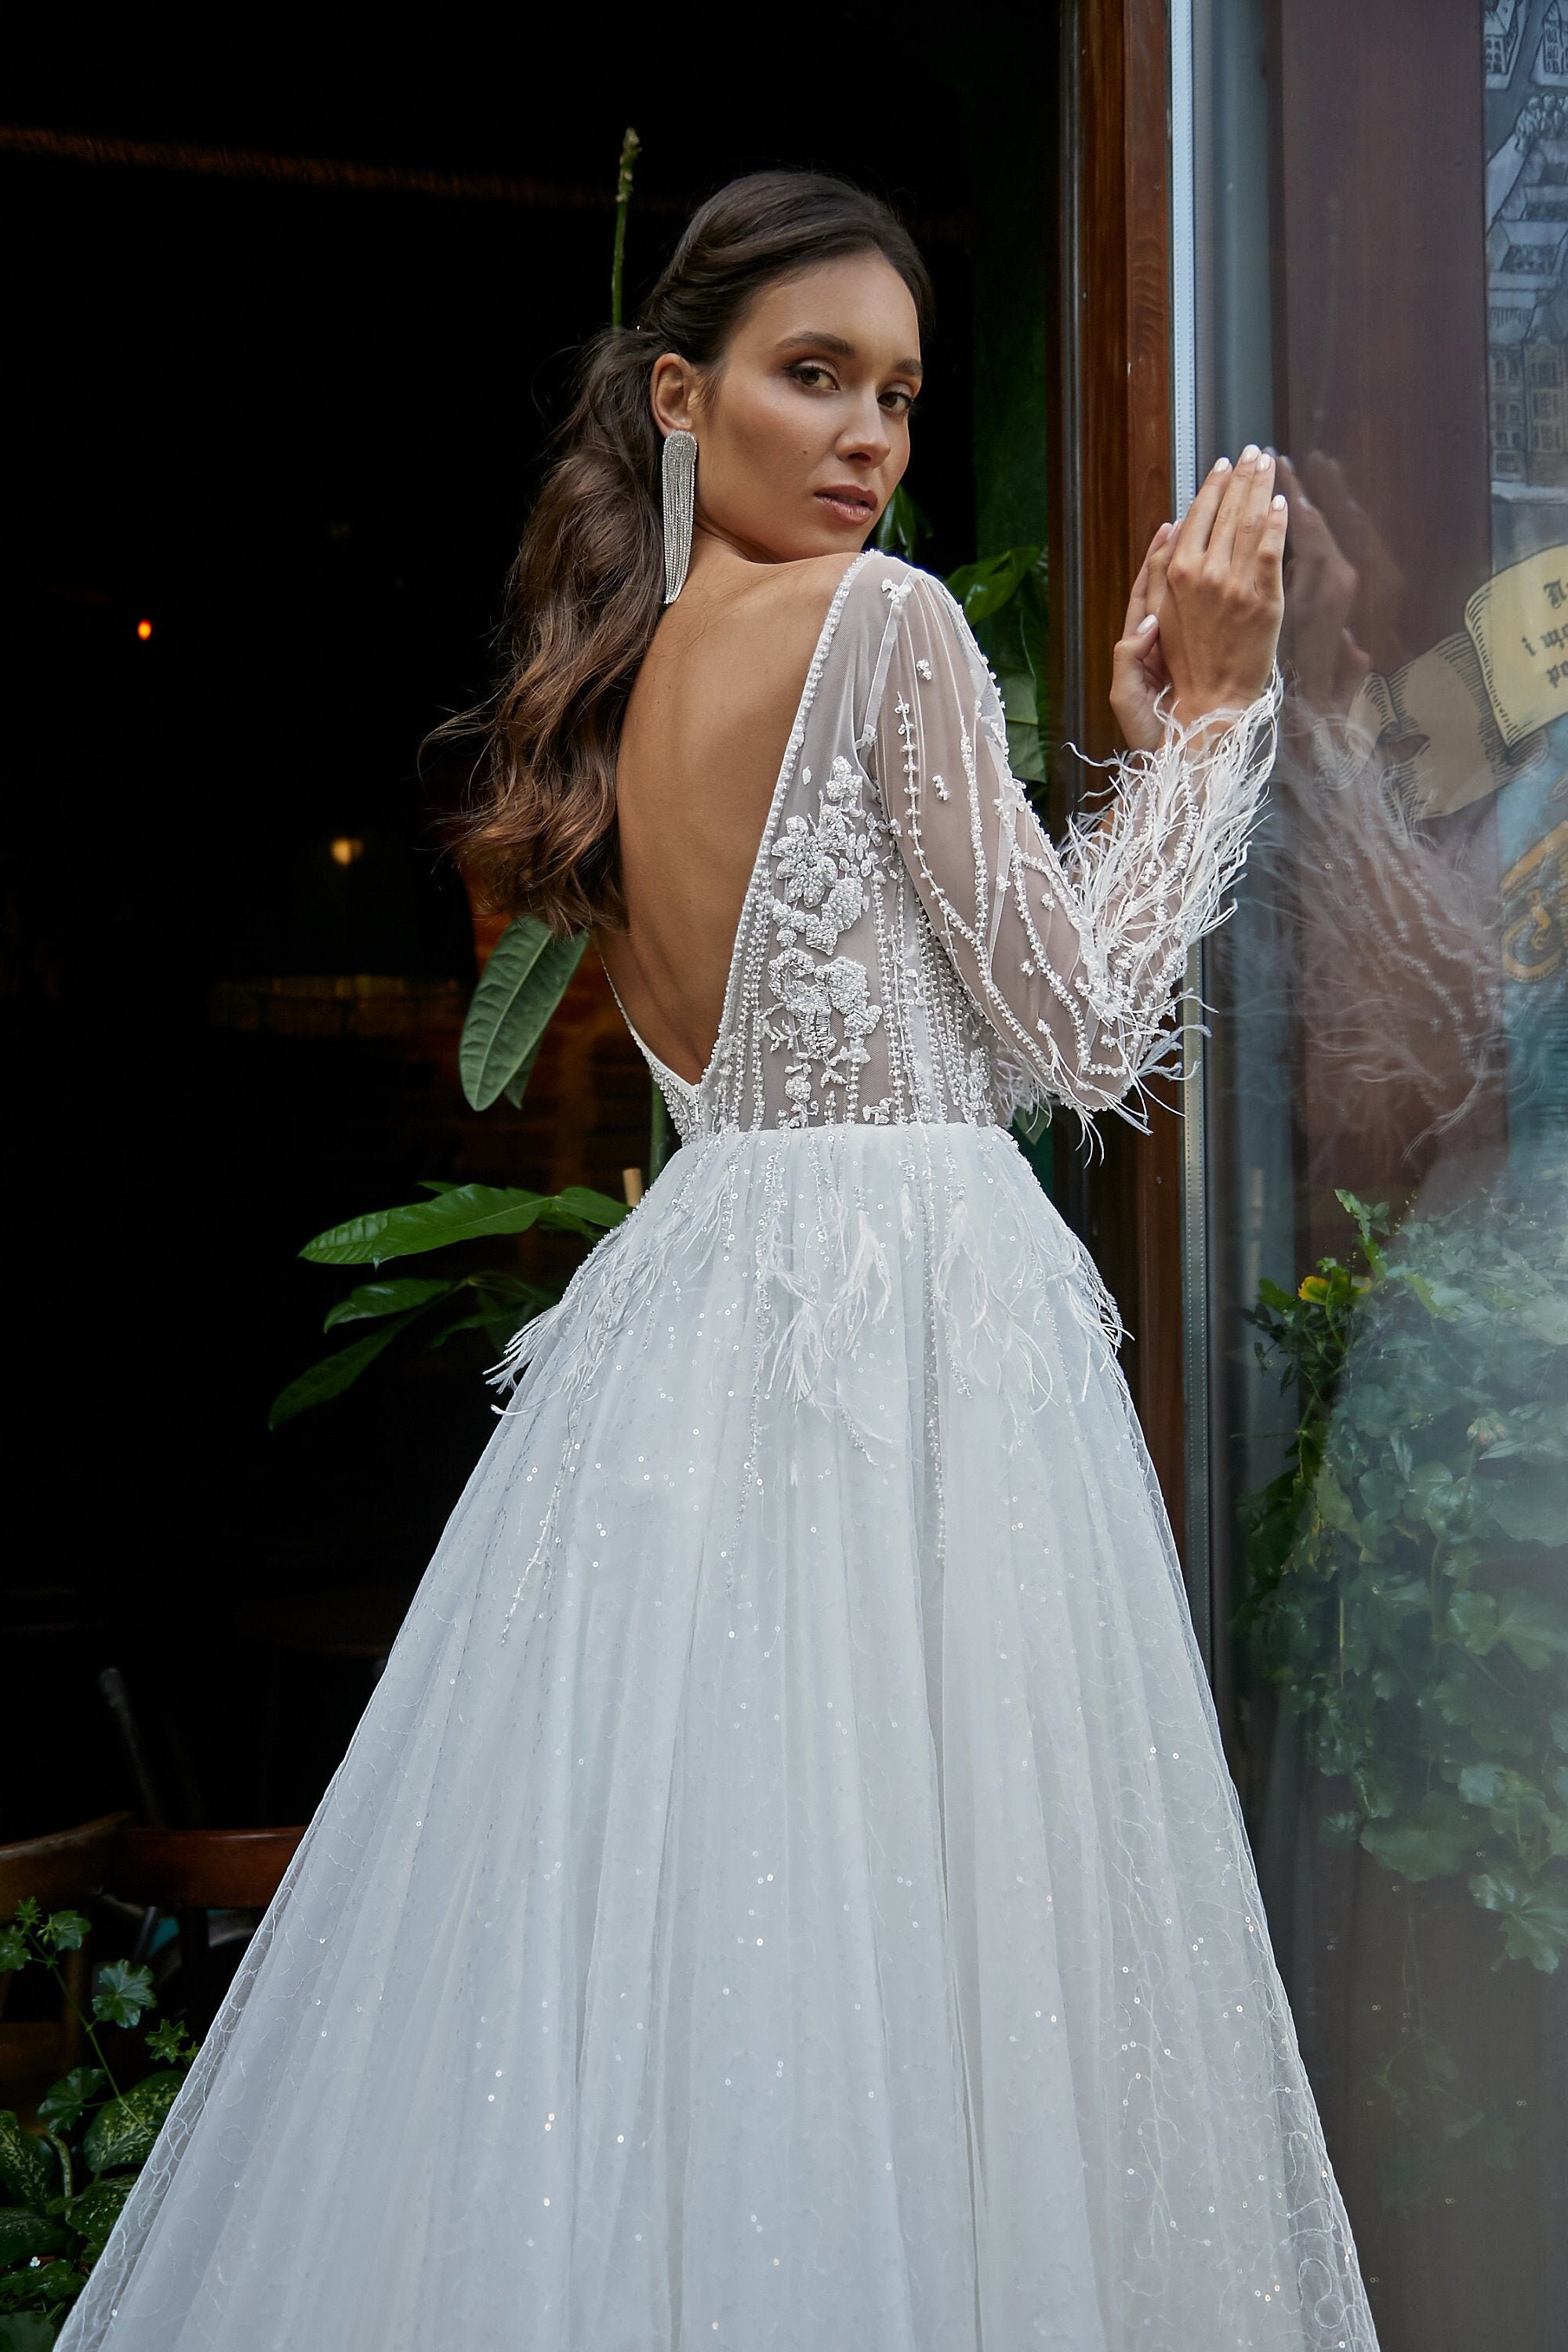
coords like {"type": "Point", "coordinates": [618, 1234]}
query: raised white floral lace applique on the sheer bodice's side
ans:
{"type": "Point", "coordinates": [822, 1005]}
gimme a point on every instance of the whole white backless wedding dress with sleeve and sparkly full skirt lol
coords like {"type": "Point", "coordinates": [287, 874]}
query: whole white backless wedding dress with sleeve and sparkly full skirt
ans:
{"type": "Point", "coordinates": [786, 1892]}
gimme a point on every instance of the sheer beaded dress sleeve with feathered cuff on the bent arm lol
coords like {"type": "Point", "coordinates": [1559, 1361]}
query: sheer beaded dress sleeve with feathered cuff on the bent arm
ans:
{"type": "Point", "coordinates": [1073, 951]}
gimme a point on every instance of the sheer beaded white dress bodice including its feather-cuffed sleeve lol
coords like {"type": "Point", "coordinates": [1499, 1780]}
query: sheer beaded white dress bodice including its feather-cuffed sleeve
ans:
{"type": "Point", "coordinates": [913, 947]}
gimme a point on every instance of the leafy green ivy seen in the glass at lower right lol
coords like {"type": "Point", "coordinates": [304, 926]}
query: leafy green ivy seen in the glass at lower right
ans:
{"type": "Point", "coordinates": [1405, 1570]}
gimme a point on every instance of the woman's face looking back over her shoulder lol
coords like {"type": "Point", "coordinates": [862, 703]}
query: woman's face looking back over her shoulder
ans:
{"type": "Point", "coordinates": [803, 427]}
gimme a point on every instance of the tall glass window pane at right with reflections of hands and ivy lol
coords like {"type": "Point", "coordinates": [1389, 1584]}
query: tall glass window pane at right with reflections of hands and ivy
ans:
{"type": "Point", "coordinates": [1388, 1088]}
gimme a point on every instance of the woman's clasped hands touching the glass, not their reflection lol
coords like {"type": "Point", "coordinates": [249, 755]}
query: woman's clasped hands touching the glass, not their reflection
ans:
{"type": "Point", "coordinates": [1207, 606]}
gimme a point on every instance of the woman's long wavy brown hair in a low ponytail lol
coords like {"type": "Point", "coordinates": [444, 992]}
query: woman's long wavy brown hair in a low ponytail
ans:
{"type": "Point", "coordinates": [587, 589]}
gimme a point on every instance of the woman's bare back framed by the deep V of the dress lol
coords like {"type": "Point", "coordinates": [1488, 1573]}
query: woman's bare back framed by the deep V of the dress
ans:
{"type": "Point", "coordinates": [702, 747]}
